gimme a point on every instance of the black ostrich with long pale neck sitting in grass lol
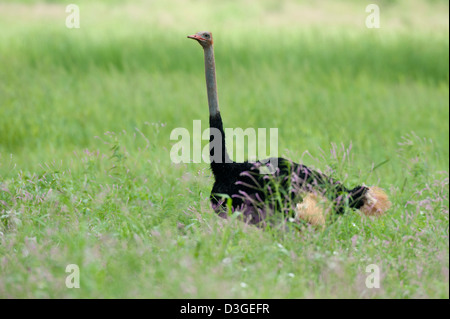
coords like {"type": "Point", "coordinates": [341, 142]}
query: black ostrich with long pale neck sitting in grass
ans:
{"type": "Point", "coordinates": [292, 188]}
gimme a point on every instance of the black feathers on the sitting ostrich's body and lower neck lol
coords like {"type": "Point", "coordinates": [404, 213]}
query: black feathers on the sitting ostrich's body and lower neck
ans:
{"type": "Point", "coordinates": [256, 195]}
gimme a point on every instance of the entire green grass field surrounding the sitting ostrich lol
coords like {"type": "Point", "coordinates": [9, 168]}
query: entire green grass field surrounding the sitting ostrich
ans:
{"type": "Point", "coordinates": [85, 172]}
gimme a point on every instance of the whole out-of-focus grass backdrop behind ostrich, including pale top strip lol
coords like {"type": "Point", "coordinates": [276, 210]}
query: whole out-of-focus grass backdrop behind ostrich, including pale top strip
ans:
{"type": "Point", "coordinates": [312, 70]}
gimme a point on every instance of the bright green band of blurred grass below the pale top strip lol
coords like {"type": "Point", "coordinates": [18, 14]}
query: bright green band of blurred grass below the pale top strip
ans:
{"type": "Point", "coordinates": [136, 79]}
